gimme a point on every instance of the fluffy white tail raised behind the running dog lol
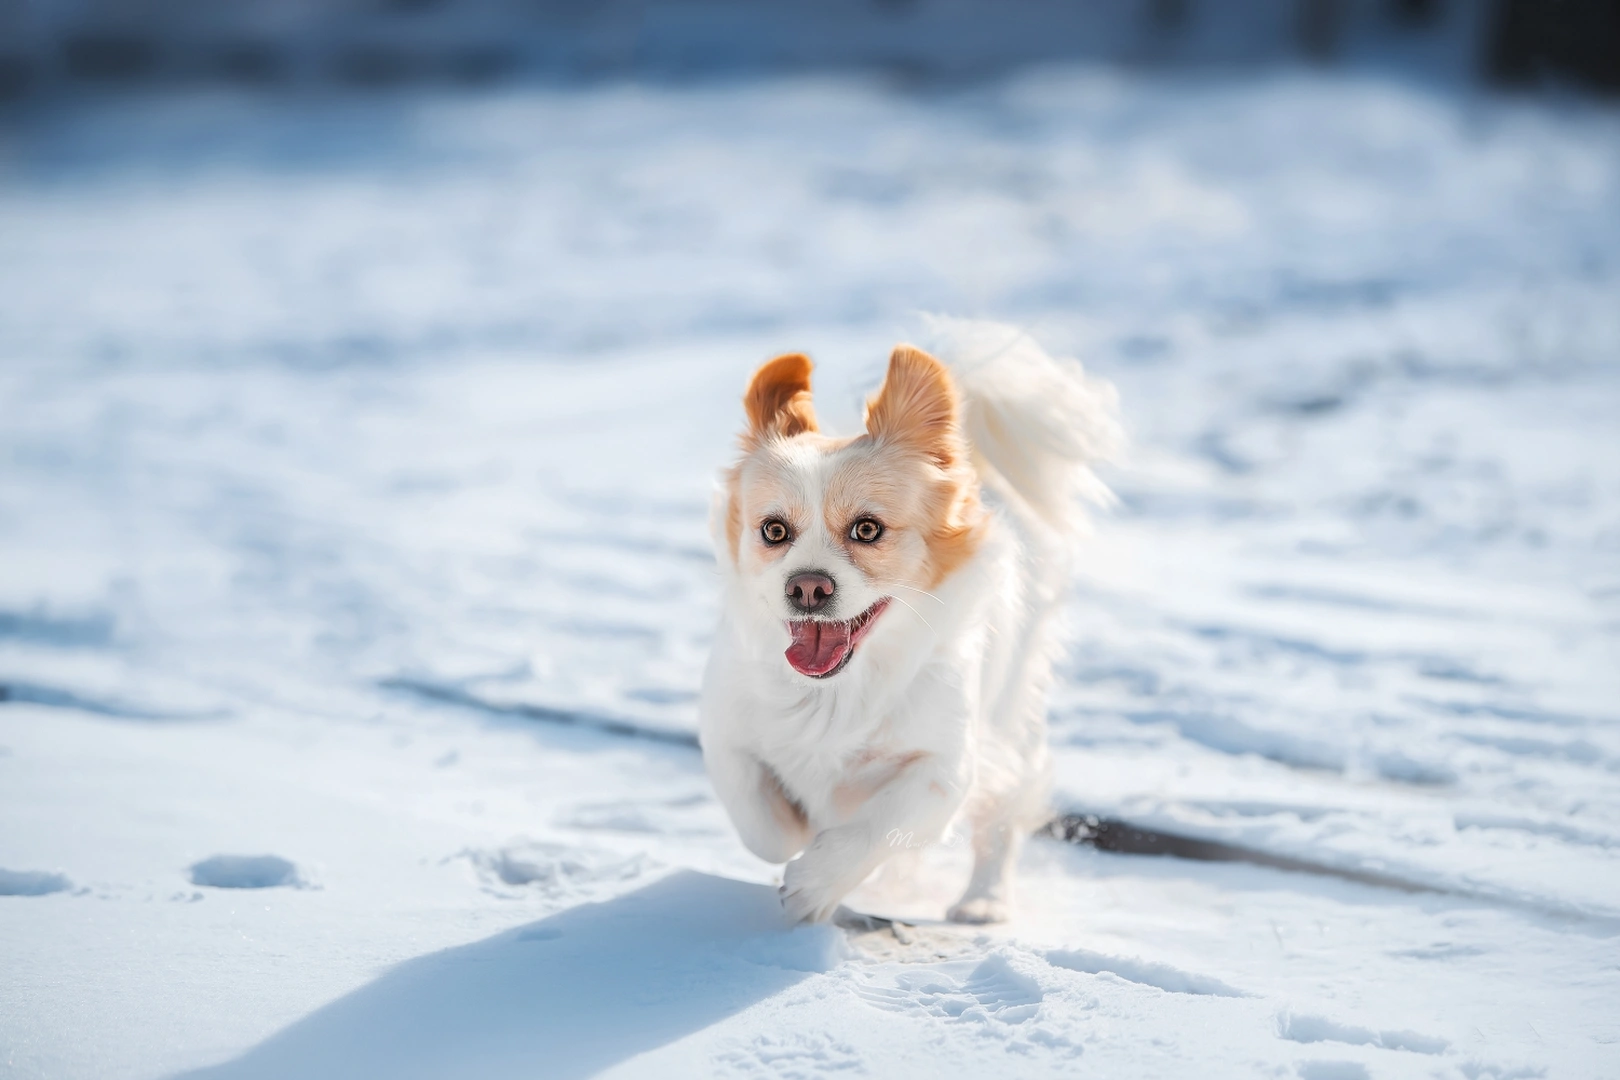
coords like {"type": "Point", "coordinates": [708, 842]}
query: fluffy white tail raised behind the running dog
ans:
{"type": "Point", "coordinates": [1036, 425]}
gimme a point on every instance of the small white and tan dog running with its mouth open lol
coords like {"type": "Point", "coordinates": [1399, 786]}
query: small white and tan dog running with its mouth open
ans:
{"type": "Point", "coordinates": [892, 611]}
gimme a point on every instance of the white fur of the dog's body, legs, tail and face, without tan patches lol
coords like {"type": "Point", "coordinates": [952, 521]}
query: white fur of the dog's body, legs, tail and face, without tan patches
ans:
{"type": "Point", "coordinates": [942, 710]}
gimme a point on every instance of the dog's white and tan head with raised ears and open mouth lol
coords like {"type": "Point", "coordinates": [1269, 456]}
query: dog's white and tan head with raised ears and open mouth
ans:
{"type": "Point", "coordinates": [827, 535]}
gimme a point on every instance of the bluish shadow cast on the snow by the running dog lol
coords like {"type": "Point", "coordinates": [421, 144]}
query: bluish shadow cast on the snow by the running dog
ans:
{"type": "Point", "coordinates": [566, 997]}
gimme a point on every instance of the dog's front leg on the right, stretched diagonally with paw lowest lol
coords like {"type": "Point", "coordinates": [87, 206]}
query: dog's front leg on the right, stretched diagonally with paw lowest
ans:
{"type": "Point", "coordinates": [911, 809]}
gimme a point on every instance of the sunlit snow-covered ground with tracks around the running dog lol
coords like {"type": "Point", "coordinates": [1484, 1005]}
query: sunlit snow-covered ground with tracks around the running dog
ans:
{"type": "Point", "coordinates": [354, 470]}
